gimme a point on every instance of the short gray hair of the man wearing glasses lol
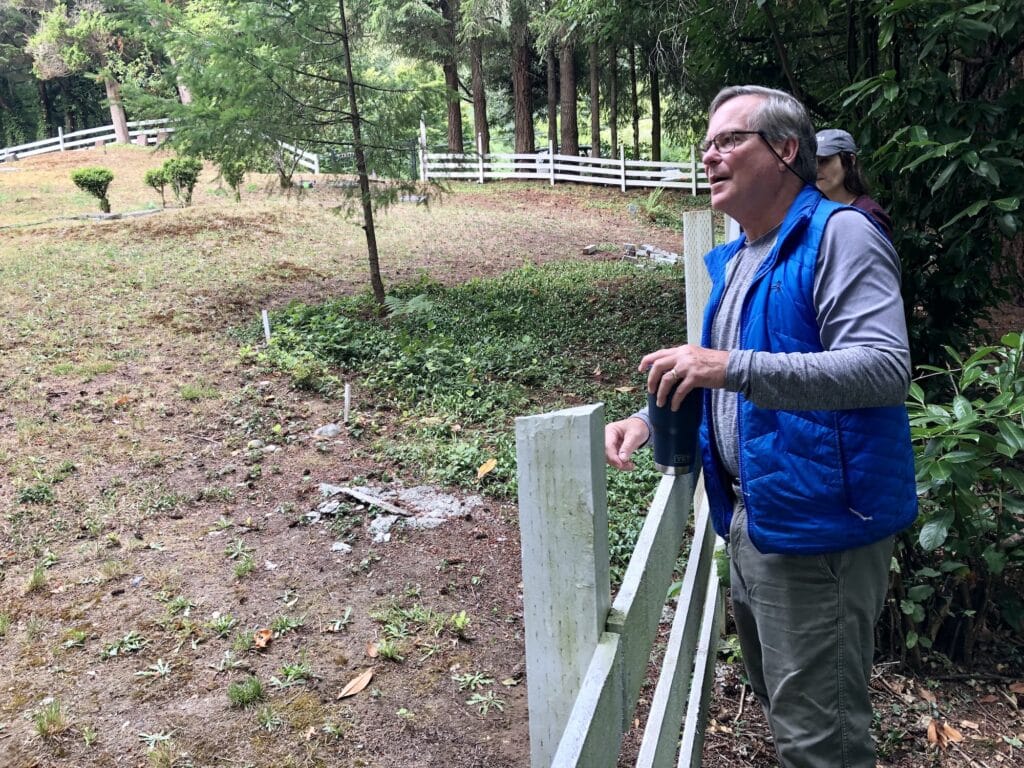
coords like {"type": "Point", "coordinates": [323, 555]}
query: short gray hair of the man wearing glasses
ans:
{"type": "Point", "coordinates": [779, 117]}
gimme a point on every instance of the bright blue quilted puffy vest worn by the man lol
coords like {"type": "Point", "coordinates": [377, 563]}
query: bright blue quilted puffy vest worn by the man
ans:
{"type": "Point", "coordinates": [814, 482]}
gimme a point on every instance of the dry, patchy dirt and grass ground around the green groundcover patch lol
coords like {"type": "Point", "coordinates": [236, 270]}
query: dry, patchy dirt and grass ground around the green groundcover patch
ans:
{"type": "Point", "coordinates": [178, 538]}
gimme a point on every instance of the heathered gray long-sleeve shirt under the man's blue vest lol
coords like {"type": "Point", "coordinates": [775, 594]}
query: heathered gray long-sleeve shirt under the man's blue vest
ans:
{"type": "Point", "coordinates": [867, 360]}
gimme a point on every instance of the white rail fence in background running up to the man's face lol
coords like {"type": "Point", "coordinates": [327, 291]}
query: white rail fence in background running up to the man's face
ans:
{"type": "Point", "coordinates": [547, 166]}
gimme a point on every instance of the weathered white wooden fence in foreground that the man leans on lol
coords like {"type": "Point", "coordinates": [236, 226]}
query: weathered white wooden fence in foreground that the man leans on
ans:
{"type": "Point", "coordinates": [587, 656]}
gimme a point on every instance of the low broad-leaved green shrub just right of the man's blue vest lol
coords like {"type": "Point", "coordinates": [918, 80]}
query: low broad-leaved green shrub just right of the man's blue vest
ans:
{"type": "Point", "coordinates": [960, 569]}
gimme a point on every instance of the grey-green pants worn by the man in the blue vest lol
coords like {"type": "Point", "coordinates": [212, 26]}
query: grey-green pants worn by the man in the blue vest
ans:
{"type": "Point", "coordinates": [806, 627]}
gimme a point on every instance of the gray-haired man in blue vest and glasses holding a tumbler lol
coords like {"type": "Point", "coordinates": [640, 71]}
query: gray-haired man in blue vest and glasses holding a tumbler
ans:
{"type": "Point", "coordinates": [806, 447]}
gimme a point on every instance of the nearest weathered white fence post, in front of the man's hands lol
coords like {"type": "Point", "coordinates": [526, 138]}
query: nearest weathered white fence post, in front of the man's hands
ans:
{"type": "Point", "coordinates": [565, 534]}
